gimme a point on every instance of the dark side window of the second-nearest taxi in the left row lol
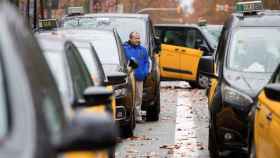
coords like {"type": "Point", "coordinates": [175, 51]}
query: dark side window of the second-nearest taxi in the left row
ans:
{"type": "Point", "coordinates": [80, 75]}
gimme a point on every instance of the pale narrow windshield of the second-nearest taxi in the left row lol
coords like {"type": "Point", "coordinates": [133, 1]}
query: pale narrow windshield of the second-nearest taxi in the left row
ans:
{"type": "Point", "coordinates": [56, 63]}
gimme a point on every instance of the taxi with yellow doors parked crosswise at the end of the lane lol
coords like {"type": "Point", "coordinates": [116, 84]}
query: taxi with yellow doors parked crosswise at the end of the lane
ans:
{"type": "Point", "coordinates": [182, 46]}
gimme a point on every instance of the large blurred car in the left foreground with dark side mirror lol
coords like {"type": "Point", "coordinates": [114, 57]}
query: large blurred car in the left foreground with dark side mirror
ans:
{"type": "Point", "coordinates": [33, 118]}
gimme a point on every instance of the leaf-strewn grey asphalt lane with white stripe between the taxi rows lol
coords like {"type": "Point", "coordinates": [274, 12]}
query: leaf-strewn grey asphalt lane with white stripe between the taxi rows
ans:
{"type": "Point", "coordinates": [182, 130]}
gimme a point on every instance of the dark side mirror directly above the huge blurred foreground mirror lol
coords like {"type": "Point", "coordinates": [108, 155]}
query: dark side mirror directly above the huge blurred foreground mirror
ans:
{"type": "Point", "coordinates": [94, 96]}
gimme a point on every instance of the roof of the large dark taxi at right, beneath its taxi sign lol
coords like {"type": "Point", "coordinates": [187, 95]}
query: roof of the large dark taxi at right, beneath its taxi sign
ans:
{"type": "Point", "coordinates": [261, 19]}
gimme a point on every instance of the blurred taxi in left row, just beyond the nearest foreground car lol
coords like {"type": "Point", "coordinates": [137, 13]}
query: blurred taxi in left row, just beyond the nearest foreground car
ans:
{"type": "Point", "coordinates": [74, 80]}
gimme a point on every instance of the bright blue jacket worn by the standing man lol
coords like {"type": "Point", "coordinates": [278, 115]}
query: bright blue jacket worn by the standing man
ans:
{"type": "Point", "coordinates": [140, 54]}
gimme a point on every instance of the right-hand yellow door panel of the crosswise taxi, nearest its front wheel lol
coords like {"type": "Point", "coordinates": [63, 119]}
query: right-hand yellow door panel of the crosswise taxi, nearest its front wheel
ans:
{"type": "Point", "coordinates": [189, 60]}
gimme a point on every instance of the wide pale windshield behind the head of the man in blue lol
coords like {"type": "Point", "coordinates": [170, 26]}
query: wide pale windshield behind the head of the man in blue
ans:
{"type": "Point", "coordinates": [124, 26]}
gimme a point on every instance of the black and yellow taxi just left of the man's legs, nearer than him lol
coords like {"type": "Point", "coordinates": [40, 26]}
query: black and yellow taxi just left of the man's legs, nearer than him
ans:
{"type": "Point", "coordinates": [112, 57]}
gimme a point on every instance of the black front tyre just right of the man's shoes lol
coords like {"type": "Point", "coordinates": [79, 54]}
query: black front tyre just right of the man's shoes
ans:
{"type": "Point", "coordinates": [154, 110]}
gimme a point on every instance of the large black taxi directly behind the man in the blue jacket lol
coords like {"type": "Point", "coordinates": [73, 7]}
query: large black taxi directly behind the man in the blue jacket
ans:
{"type": "Point", "coordinates": [124, 24]}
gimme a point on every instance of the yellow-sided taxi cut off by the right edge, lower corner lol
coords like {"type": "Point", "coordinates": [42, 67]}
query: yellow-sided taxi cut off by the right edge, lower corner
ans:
{"type": "Point", "coordinates": [265, 140]}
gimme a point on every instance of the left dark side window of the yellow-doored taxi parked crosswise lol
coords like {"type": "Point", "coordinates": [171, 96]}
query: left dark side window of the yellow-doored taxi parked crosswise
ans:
{"type": "Point", "coordinates": [175, 37]}
